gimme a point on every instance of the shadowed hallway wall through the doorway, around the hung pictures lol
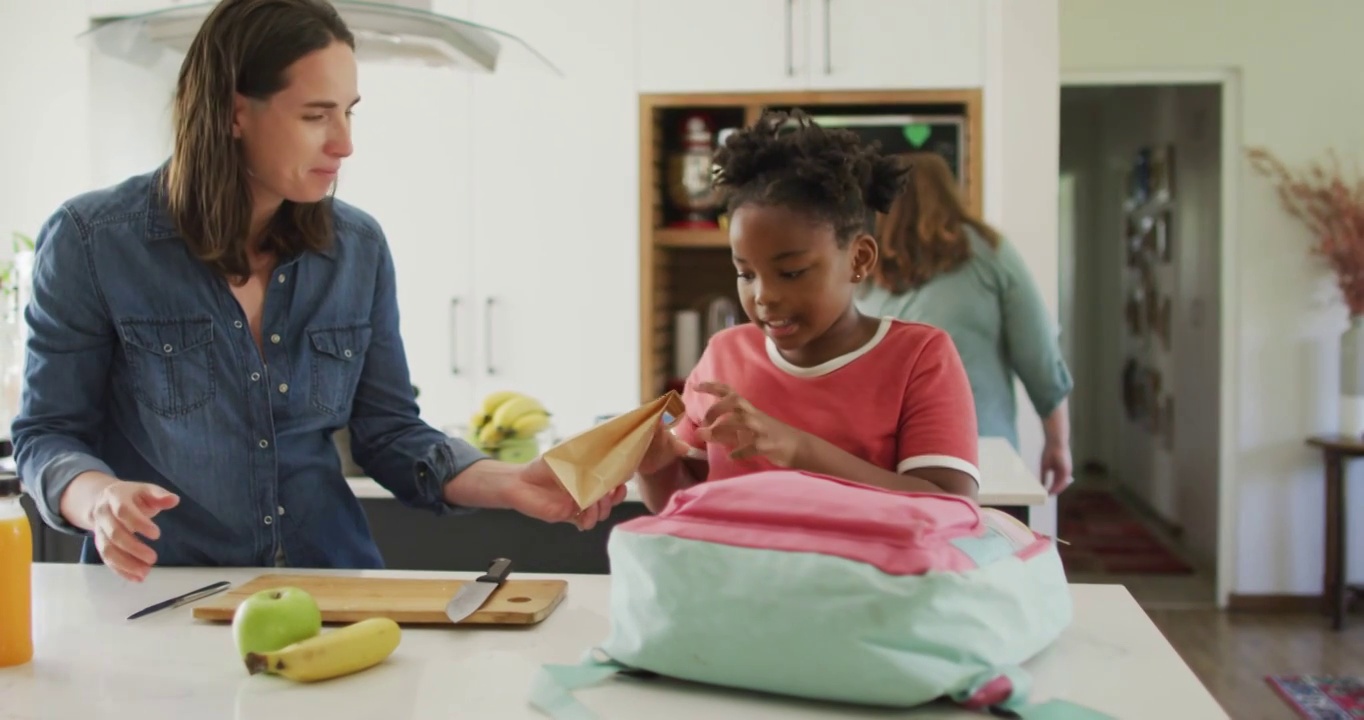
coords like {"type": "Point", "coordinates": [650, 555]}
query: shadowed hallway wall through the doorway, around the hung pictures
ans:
{"type": "Point", "coordinates": [1103, 130]}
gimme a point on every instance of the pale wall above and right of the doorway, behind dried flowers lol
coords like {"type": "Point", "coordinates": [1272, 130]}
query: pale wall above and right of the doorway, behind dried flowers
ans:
{"type": "Point", "coordinates": [1299, 96]}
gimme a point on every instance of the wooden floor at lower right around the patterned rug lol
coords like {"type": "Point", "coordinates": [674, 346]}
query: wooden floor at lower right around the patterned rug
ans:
{"type": "Point", "coordinates": [1234, 652]}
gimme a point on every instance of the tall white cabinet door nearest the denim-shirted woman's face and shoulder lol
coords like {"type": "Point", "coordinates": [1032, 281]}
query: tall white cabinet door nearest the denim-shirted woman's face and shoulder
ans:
{"type": "Point", "coordinates": [411, 171]}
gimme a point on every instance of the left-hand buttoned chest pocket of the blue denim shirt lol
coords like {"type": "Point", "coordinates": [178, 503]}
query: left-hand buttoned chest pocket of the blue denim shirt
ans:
{"type": "Point", "coordinates": [170, 363]}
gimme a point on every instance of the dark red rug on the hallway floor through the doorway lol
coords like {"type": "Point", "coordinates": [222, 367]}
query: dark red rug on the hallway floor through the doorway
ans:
{"type": "Point", "coordinates": [1108, 537]}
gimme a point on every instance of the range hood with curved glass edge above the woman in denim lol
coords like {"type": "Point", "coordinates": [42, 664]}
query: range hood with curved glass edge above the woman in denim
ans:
{"type": "Point", "coordinates": [385, 32]}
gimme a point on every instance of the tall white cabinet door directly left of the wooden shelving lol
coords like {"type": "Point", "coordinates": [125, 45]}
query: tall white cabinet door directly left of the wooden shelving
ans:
{"type": "Point", "coordinates": [556, 226]}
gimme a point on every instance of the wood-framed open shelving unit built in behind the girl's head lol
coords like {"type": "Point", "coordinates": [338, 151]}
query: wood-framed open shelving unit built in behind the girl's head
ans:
{"type": "Point", "coordinates": [680, 268]}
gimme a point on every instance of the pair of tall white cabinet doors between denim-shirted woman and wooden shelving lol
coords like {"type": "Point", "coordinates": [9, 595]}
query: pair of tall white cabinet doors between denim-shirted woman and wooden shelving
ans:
{"type": "Point", "coordinates": [509, 205]}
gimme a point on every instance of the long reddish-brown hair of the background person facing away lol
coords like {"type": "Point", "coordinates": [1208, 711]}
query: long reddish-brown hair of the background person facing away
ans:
{"type": "Point", "coordinates": [924, 232]}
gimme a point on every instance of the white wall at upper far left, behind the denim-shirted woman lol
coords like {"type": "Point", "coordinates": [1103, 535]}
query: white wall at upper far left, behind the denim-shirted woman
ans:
{"type": "Point", "coordinates": [44, 112]}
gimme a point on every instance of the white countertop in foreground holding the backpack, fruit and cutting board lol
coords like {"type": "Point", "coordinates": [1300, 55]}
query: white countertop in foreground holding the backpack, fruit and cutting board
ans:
{"type": "Point", "coordinates": [93, 663]}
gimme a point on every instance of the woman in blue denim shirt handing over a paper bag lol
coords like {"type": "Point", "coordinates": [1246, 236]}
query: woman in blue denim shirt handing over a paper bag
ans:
{"type": "Point", "coordinates": [200, 332]}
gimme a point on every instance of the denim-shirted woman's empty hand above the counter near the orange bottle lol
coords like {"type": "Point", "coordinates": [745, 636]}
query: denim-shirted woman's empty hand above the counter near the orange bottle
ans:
{"type": "Point", "coordinates": [123, 512]}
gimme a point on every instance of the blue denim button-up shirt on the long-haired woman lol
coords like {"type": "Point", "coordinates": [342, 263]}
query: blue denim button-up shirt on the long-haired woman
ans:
{"type": "Point", "coordinates": [141, 365]}
